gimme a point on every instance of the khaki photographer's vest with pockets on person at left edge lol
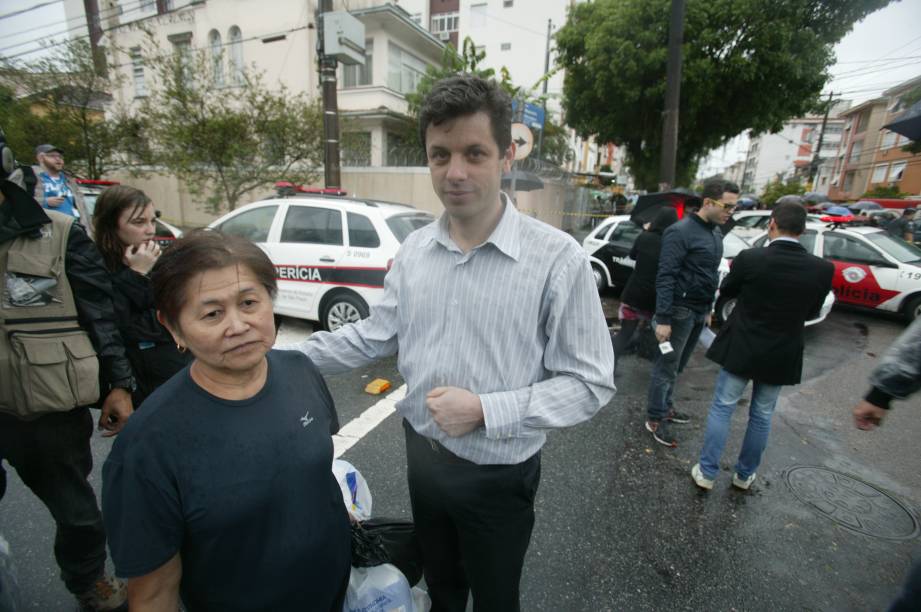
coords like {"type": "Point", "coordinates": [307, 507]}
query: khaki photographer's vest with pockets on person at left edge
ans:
{"type": "Point", "coordinates": [47, 361]}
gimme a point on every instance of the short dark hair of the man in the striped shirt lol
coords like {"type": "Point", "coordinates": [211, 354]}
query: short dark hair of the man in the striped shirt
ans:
{"type": "Point", "coordinates": [465, 94]}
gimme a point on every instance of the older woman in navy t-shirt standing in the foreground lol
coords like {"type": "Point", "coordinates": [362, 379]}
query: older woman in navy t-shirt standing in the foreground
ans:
{"type": "Point", "coordinates": [221, 491]}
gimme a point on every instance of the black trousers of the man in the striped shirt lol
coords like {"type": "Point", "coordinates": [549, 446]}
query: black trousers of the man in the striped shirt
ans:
{"type": "Point", "coordinates": [474, 525]}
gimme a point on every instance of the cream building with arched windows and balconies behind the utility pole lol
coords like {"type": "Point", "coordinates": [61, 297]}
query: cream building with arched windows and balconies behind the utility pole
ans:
{"type": "Point", "coordinates": [281, 44]}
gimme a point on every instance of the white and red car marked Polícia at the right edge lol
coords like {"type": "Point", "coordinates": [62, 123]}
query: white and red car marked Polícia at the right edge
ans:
{"type": "Point", "coordinates": [872, 269]}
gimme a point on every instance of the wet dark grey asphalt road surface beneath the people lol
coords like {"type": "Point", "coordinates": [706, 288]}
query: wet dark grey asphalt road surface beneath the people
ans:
{"type": "Point", "coordinates": [620, 525]}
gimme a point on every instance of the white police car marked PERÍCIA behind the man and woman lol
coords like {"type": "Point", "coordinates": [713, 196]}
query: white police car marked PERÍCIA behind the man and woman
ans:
{"type": "Point", "coordinates": [331, 253]}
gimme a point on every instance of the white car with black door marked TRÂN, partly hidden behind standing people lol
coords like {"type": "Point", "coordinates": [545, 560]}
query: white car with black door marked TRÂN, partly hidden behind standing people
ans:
{"type": "Point", "coordinates": [608, 247]}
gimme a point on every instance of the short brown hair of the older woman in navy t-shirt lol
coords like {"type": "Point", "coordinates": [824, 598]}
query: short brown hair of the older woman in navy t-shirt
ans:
{"type": "Point", "coordinates": [197, 252]}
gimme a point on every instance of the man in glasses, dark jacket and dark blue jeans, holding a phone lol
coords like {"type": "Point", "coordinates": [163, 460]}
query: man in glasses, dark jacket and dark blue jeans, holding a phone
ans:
{"type": "Point", "coordinates": [685, 288]}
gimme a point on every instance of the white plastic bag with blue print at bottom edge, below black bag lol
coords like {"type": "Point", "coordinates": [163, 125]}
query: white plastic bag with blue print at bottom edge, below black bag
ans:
{"type": "Point", "coordinates": [381, 588]}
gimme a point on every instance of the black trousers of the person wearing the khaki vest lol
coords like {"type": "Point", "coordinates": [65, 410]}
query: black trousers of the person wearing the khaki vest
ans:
{"type": "Point", "coordinates": [52, 456]}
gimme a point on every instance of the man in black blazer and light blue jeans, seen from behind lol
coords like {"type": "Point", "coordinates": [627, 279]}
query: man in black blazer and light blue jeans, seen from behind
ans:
{"type": "Point", "coordinates": [779, 287]}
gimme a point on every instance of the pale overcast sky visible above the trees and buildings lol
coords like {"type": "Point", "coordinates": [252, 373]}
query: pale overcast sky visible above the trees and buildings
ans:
{"type": "Point", "coordinates": [881, 51]}
